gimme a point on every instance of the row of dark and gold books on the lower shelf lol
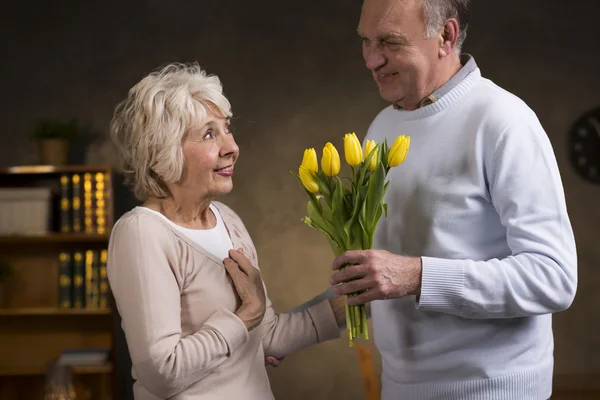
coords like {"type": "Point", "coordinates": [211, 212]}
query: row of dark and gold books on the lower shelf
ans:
{"type": "Point", "coordinates": [83, 279]}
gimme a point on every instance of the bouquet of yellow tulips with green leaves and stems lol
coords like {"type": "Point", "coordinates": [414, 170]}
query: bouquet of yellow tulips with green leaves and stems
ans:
{"type": "Point", "coordinates": [346, 210]}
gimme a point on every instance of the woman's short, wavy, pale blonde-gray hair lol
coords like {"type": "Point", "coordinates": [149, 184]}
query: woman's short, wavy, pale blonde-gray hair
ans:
{"type": "Point", "coordinates": [148, 127]}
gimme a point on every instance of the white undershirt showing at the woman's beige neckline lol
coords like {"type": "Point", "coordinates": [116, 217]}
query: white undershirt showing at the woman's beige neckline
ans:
{"type": "Point", "coordinates": [215, 240]}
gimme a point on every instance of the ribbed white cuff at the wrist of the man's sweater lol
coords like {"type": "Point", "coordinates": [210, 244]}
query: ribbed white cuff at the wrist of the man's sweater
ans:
{"type": "Point", "coordinates": [442, 284]}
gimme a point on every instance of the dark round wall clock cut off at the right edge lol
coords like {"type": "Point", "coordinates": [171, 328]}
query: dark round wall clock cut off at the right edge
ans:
{"type": "Point", "coordinates": [584, 146]}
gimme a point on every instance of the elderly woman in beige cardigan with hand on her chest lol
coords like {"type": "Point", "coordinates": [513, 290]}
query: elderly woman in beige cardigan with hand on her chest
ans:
{"type": "Point", "coordinates": [182, 266]}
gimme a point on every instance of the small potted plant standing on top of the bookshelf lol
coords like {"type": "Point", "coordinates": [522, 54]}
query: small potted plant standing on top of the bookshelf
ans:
{"type": "Point", "coordinates": [54, 138]}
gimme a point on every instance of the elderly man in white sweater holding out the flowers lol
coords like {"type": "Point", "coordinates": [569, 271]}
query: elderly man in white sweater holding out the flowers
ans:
{"type": "Point", "coordinates": [477, 251]}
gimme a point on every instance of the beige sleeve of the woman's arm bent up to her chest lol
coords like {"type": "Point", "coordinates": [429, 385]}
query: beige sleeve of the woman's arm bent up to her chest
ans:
{"type": "Point", "coordinates": [146, 280]}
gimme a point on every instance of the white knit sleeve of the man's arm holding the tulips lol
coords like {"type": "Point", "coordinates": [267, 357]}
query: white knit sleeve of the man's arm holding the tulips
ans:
{"type": "Point", "coordinates": [540, 275]}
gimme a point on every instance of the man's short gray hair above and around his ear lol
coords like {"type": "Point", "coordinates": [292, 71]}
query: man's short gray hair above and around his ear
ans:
{"type": "Point", "coordinates": [437, 12]}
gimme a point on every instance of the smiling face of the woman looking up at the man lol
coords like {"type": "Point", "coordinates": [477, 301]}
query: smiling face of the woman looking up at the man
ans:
{"type": "Point", "coordinates": [210, 153]}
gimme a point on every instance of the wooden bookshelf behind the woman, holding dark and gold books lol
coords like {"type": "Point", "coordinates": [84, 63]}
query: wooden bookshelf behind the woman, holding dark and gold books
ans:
{"type": "Point", "coordinates": [34, 330]}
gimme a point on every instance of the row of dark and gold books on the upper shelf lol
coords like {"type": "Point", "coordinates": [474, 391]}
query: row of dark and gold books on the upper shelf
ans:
{"type": "Point", "coordinates": [84, 202]}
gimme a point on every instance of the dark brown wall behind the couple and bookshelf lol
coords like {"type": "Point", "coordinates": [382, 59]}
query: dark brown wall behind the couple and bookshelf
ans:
{"type": "Point", "coordinates": [296, 79]}
